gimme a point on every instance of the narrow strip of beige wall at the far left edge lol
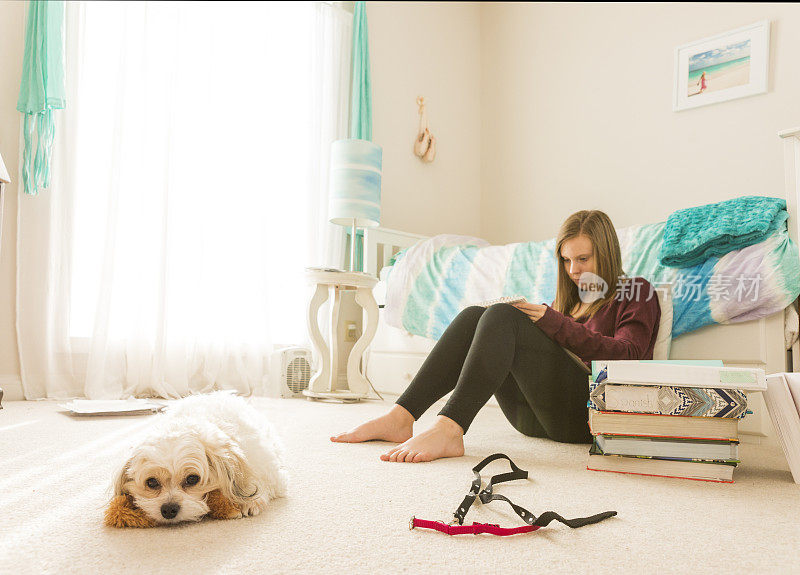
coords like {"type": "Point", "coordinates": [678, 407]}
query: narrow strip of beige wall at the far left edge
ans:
{"type": "Point", "coordinates": [11, 33]}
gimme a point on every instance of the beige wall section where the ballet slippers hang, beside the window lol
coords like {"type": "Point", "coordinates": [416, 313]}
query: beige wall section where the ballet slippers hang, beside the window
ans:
{"type": "Point", "coordinates": [430, 49]}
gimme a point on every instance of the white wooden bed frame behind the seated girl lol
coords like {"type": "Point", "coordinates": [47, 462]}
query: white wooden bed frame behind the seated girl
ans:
{"type": "Point", "coordinates": [395, 356]}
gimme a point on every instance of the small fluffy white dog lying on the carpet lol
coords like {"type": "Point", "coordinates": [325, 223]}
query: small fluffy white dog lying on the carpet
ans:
{"type": "Point", "coordinates": [203, 443]}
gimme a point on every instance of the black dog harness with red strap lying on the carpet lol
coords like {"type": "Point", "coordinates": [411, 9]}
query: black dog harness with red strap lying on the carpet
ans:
{"type": "Point", "coordinates": [457, 527]}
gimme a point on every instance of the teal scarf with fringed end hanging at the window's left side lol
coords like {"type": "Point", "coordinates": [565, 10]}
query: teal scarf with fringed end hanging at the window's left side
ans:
{"type": "Point", "coordinates": [42, 89]}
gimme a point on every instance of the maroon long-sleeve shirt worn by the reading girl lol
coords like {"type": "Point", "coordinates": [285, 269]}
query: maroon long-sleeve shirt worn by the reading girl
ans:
{"type": "Point", "coordinates": [625, 328]}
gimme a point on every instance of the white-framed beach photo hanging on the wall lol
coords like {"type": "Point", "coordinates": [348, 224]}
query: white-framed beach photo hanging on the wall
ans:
{"type": "Point", "coordinates": [727, 66]}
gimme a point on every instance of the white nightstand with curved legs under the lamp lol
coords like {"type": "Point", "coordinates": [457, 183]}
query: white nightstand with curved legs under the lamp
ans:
{"type": "Point", "coordinates": [324, 384]}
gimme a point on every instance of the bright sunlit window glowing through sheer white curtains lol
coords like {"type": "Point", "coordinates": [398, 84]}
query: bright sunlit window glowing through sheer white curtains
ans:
{"type": "Point", "coordinates": [192, 147]}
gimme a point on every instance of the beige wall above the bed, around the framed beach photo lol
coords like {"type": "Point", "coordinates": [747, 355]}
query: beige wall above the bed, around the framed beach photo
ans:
{"type": "Point", "coordinates": [576, 114]}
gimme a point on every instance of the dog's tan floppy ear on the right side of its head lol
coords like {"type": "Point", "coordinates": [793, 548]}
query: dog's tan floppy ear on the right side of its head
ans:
{"type": "Point", "coordinates": [236, 478]}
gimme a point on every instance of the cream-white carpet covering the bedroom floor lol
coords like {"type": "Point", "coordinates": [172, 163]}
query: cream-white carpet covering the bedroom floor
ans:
{"type": "Point", "coordinates": [348, 512]}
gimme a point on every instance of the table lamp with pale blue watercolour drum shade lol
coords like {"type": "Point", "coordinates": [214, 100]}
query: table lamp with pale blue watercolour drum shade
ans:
{"type": "Point", "coordinates": [355, 187]}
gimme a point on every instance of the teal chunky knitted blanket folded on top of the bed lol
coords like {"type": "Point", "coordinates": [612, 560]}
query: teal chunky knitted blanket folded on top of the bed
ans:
{"type": "Point", "coordinates": [693, 235]}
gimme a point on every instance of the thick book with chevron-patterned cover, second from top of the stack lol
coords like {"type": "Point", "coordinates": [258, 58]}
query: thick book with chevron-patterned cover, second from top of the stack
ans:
{"type": "Point", "coordinates": [668, 400]}
